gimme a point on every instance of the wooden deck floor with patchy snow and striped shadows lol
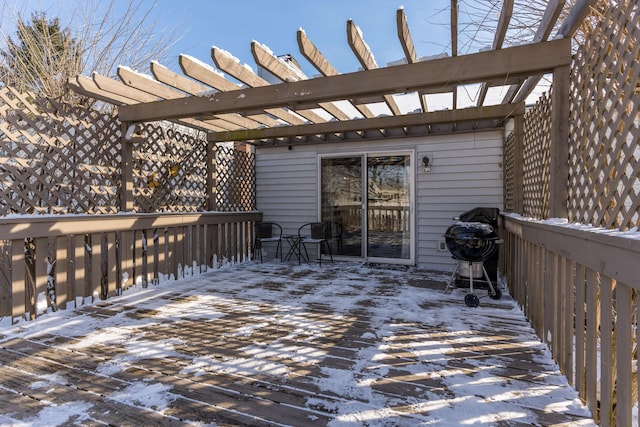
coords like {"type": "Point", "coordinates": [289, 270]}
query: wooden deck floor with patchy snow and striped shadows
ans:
{"type": "Point", "coordinates": [282, 344]}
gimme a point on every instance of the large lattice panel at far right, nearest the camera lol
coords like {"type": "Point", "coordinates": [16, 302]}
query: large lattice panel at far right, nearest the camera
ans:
{"type": "Point", "coordinates": [605, 123]}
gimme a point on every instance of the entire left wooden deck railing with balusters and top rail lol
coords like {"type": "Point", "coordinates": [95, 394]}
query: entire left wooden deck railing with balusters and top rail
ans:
{"type": "Point", "coordinates": [49, 263]}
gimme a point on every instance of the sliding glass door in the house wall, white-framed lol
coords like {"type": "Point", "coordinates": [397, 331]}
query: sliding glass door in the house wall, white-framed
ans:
{"type": "Point", "coordinates": [367, 197]}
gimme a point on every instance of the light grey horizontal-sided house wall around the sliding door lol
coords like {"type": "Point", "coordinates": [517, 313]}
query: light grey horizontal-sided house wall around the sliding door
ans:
{"type": "Point", "coordinates": [466, 172]}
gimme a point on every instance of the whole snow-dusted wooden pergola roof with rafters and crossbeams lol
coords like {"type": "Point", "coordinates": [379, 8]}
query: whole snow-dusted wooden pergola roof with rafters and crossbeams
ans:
{"type": "Point", "coordinates": [336, 107]}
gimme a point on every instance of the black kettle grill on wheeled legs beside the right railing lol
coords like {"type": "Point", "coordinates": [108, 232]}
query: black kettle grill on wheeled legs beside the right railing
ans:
{"type": "Point", "coordinates": [473, 243]}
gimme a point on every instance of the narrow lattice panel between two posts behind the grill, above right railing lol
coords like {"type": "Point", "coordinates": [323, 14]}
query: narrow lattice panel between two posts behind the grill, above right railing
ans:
{"type": "Point", "coordinates": [537, 140]}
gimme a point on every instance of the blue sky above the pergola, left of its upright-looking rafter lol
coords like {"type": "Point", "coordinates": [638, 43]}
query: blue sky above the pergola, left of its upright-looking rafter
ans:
{"type": "Point", "coordinates": [232, 25]}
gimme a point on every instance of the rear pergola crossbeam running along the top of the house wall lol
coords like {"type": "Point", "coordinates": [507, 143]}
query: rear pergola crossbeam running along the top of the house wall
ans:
{"type": "Point", "coordinates": [496, 112]}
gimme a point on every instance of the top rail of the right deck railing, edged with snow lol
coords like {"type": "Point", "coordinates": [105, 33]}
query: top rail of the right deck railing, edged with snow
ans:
{"type": "Point", "coordinates": [613, 253]}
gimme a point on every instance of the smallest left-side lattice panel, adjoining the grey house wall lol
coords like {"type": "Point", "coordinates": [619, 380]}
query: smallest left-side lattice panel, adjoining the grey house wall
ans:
{"type": "Point", "coordinates": [236, 180]}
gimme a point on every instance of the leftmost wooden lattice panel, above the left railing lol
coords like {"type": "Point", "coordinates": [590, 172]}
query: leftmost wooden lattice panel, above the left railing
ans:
{"type": "Point", "coordinates": [55, 158]}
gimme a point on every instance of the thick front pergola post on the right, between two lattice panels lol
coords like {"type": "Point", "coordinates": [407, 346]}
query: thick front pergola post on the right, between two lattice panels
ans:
{"type": "Point", "coordinates": [559, 151]}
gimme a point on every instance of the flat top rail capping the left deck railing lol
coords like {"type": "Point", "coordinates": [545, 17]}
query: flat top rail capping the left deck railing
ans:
{"type": "Point", "coordinates": [39, 226]}
